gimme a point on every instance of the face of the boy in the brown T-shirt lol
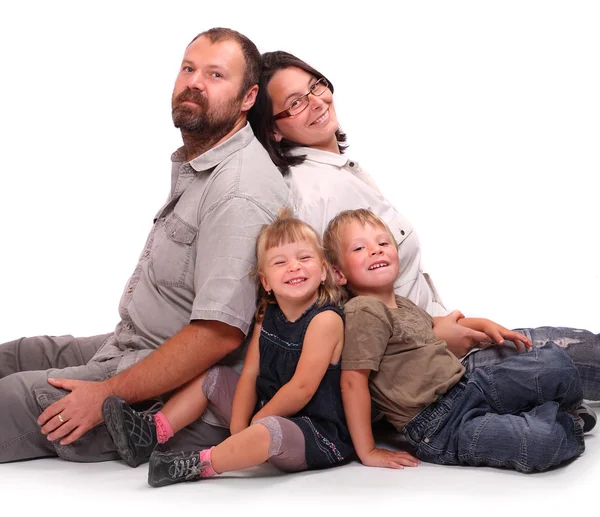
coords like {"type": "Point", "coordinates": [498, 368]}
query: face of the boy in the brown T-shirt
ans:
{"type": "Point", "coordinates": [368, 259]}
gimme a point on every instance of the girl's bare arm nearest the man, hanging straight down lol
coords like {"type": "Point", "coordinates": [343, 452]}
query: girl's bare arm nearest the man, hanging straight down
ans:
{"type": "Point", "coordinates": [244, 399]}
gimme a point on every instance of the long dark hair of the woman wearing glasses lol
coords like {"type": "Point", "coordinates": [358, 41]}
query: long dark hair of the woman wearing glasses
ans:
{"type": "Point", "coordinates": [260, 115]}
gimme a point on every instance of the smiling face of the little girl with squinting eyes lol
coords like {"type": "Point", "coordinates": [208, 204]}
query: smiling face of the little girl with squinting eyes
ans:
{"type": "Point", "coordinates": [293, 271]}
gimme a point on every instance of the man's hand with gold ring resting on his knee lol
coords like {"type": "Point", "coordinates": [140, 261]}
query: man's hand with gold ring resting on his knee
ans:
{"type": "Point", "coordinates": [72, 416]}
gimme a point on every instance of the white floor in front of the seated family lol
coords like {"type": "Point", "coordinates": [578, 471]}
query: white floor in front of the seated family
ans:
{"type": "Point", "coordinates": [60, 488]}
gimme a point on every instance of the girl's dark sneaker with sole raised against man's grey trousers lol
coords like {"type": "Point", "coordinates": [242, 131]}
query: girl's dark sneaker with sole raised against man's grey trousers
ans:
{"type": "Point", "coordinates": [133, 432]}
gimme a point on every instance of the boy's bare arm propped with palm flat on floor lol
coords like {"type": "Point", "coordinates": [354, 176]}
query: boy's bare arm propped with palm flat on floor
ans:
{"type": "Point", "coordinates": [357, 407]}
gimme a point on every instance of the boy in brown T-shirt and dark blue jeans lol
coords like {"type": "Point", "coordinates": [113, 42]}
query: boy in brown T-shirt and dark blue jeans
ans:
{"type": "Point", "coordinates": [519, 414]}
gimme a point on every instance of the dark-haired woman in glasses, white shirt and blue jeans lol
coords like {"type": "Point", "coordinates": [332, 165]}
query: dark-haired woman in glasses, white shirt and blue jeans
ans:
{"type": "Point", "coordinates": [294, 118]}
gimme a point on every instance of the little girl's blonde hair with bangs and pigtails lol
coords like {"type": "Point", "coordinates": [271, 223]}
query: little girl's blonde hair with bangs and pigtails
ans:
{"type": "Point", "coordinates": [284, 230]}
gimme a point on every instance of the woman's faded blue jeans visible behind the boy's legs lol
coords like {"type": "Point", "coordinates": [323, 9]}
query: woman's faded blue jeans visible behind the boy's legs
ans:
{"type": "Point", "coordinates": [582, 346]}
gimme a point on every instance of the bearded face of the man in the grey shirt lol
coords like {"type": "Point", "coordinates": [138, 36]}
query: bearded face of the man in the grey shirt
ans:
{"type": "Point", "coordinates": [206, 97]}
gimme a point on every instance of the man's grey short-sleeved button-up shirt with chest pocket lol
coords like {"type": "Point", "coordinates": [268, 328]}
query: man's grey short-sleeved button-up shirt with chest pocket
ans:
{"type": "Point", "coordinates": [196, 261]}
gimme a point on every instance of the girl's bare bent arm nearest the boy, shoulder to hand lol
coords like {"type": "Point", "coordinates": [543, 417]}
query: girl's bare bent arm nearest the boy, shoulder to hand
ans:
{"type": "Point", "coordinates": [324, 337]}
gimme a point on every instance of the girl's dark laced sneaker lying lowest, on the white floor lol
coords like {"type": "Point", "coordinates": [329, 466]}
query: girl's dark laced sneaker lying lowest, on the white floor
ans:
{"type": "Point", "coordinates": [171, 467]}
